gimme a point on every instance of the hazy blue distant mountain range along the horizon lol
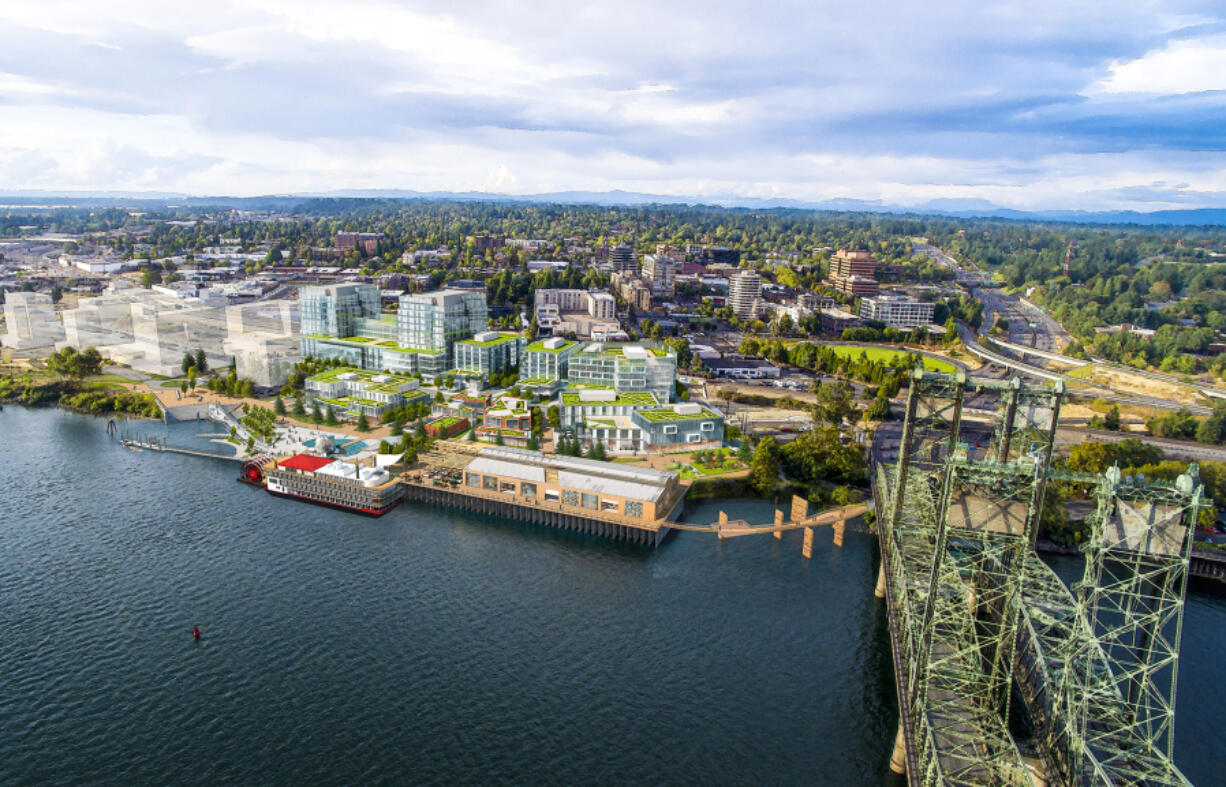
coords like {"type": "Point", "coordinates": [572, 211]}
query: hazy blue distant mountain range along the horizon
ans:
{"type": "Point", "coordinates": [957, 209]}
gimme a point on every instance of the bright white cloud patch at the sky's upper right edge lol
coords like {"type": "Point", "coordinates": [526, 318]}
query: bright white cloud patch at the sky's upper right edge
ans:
{"type": "Point", "coordinates": [1184, 67]}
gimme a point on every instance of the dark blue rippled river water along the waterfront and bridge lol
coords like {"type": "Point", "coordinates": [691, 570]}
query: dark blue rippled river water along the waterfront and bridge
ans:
{"type": "Point", "coordinates": [431, 645]}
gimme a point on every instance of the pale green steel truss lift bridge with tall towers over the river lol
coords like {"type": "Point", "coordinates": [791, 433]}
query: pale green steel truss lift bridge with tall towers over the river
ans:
{"type": "Point", "coordinates": [1005, 675]}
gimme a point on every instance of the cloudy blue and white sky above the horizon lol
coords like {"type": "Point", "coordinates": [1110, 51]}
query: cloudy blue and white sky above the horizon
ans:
{"type": "Point", "coordinates": [1033, 106]}
